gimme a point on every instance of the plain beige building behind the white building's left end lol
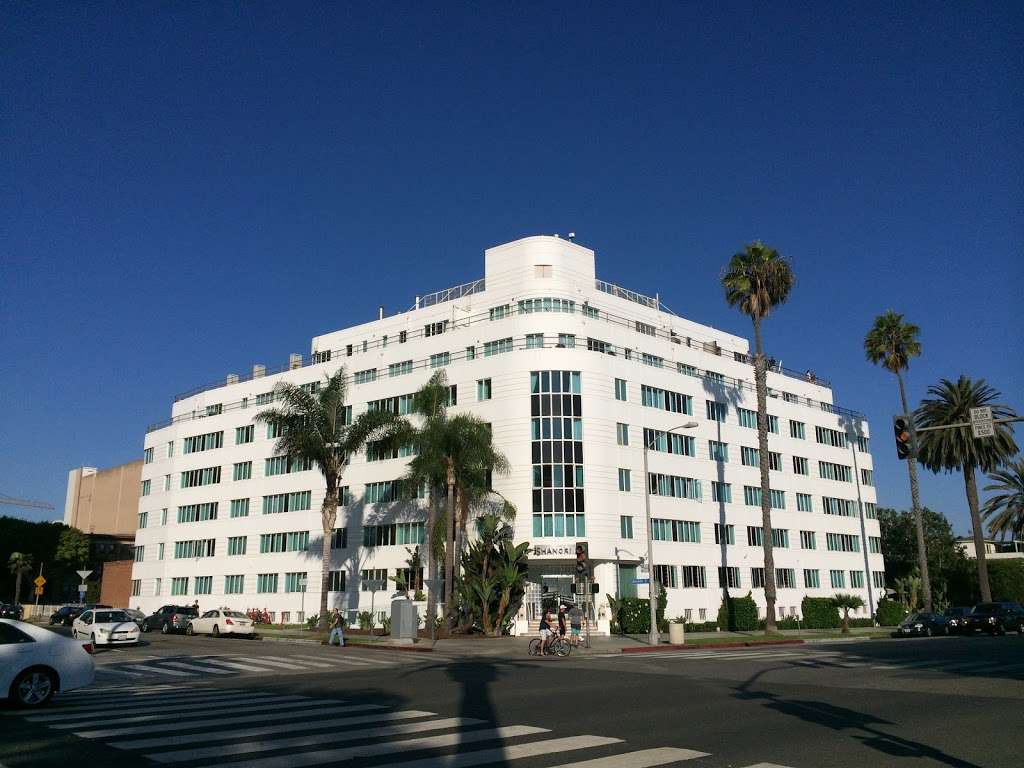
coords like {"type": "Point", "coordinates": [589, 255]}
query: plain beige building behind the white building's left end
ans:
{"type": "Point", "coordinates": [105, 501]}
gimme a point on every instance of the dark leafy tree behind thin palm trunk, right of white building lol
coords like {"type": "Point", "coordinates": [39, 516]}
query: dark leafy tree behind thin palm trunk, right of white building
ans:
{"type": "Point", "coordinates": [948, 567]}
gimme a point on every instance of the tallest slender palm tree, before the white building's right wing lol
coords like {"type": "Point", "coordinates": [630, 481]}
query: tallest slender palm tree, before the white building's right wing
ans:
{"type": "Point", "coordinates": [757, 281]}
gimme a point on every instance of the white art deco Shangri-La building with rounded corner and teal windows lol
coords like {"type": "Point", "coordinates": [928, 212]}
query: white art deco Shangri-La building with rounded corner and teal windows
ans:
{"type": "Point", "coordinates": [574, 374]}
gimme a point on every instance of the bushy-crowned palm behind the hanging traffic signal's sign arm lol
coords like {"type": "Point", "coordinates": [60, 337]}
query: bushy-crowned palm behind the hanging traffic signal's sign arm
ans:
{"type": "Point", "coordinates": [954, 448]}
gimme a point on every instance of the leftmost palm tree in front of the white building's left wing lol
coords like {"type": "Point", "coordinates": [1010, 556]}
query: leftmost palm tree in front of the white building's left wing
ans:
{"type": "Point", "coordinates": [317, 426]}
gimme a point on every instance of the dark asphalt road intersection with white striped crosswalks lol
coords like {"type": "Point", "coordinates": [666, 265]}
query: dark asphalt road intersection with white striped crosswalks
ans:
{"type": "Point", "coordinates": [192, 702]}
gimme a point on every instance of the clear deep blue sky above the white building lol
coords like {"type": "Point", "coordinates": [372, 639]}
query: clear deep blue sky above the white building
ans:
{"type": "Point", "coordinates": [188, 190]}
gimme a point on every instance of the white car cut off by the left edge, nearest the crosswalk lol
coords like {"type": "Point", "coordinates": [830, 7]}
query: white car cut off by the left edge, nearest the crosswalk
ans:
{"type": "Point", "coordinates": [35, 664]}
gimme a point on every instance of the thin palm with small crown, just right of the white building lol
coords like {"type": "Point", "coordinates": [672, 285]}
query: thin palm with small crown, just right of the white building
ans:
{"type": "Point", "coordinates": [891, 344]}
